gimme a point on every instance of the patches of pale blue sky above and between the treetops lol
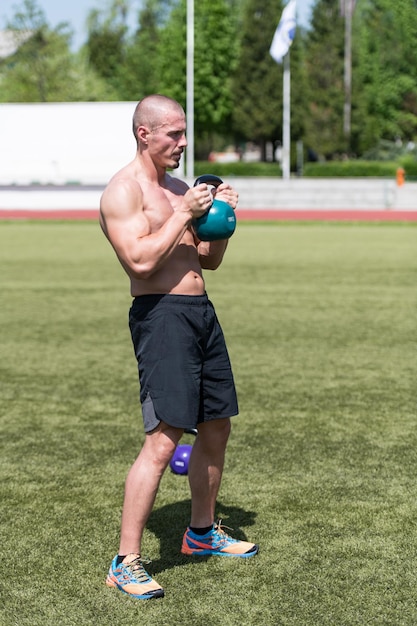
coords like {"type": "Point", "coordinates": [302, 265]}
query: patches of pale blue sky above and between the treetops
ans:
{"type": "Point", "coordinates": [75, 12]}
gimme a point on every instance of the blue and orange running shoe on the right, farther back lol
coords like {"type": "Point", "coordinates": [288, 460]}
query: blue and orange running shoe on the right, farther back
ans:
{"type": "Point", "coordinates": [218, 543]}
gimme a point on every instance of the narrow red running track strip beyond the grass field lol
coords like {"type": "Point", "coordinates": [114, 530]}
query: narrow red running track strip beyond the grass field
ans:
{"type": "Point", "coordinates": [241, 214]}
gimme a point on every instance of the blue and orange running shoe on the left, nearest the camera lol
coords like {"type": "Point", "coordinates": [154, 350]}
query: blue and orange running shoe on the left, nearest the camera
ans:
{"type": "Point", "coordinates": [133, 579]}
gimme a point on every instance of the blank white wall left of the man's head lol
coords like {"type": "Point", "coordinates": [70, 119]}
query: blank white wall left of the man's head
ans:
{"type": "Point", "coordinates": [60, 143]}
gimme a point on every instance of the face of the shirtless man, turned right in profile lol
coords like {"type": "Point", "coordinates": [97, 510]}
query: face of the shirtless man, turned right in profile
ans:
{"type": "Point", "coordinates": [167, 141]}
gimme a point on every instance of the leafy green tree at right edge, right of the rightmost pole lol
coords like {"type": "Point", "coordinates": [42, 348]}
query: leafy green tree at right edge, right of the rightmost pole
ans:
{"type": "Point", "coordinates": [385, 84]}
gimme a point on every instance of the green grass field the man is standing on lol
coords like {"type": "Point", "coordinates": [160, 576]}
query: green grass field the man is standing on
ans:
{"type": "Point", "coordinates": [321, 468]}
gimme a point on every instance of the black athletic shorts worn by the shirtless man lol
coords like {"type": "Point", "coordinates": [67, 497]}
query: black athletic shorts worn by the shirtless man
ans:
{"type": "Point", "coordinates": [184, 368]}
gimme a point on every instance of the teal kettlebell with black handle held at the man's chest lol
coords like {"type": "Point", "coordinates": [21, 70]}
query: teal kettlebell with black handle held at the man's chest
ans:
{"type": "Point", "coordinates": [219, 222]}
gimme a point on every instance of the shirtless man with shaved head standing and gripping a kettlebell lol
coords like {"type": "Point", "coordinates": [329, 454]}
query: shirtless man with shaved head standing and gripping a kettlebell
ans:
{"type": "Point", "coordinates": [184, 370]}
